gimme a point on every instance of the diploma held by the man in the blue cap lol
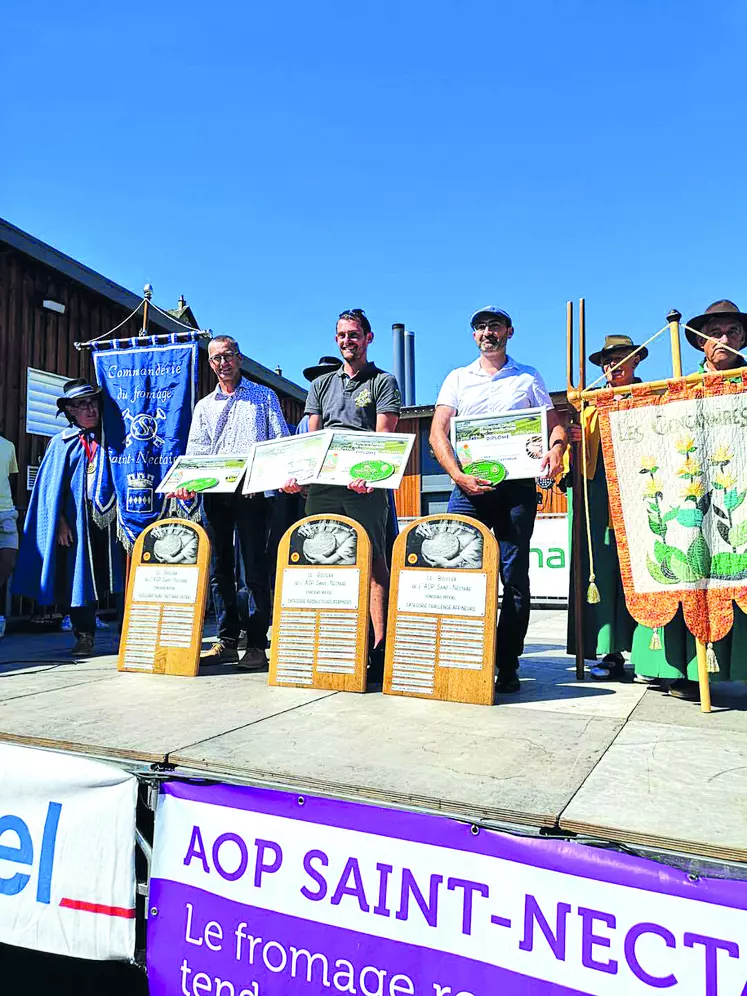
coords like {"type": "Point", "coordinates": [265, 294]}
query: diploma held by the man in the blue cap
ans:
{"type": "Point", "coordinates": [501, 447]}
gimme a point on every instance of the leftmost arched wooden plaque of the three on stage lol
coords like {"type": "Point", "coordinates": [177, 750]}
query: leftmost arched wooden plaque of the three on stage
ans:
{"type": "Point", "coordinates": [166, 596]}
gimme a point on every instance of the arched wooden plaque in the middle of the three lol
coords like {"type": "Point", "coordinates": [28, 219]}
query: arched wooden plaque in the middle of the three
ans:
{"type": "Point", "coordinates": [320, 620]}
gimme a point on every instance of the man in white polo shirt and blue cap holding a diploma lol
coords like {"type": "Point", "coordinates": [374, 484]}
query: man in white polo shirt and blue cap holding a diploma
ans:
{"type": "Point", "coordinates": [495, 383]}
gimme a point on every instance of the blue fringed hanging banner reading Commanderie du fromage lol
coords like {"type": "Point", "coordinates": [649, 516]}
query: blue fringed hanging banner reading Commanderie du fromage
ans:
{"type": "Point", "coordinates": [149, 388]}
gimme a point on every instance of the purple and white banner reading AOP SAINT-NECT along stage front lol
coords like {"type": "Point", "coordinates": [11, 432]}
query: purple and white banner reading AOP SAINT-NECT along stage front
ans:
{"type": "Point", "coordinates": [261, 893]}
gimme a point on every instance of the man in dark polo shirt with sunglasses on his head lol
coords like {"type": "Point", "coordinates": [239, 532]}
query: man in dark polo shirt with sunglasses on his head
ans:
{"type": "Point", "coordinates": [357, 396]}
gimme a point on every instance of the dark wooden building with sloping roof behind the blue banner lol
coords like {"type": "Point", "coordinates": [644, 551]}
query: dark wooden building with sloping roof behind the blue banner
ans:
{"type": "Point", "coordinates": [48, 302]}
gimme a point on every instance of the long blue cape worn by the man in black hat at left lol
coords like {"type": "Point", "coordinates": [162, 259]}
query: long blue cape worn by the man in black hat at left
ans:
{"type": "Point", "coordinates": [46, 571]}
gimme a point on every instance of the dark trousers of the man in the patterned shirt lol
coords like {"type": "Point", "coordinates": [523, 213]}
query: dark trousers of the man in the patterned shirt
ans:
{"type": "Point", "coordinates": [224, 515]}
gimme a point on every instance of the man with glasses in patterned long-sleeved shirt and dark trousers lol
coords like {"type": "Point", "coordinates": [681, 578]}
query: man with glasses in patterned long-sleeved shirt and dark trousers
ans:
{"type": "Point", "coordinates": [235, 415]}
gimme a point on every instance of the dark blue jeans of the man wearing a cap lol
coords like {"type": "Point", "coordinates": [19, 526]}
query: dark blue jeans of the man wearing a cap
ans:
{"type": "Point", "coordinates": [509, 510]}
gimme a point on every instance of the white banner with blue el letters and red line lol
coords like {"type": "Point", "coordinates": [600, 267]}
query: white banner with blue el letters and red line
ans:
{"type": "Point", "coordinates": [67, 861]}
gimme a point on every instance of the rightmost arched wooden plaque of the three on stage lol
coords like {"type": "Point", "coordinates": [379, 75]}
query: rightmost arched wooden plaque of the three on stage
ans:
{"type": "Point", "coordinates": [443, 604]}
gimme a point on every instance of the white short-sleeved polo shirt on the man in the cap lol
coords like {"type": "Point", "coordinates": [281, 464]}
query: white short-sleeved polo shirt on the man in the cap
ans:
{"type": "Point", "coordinates": [471, 390]}
